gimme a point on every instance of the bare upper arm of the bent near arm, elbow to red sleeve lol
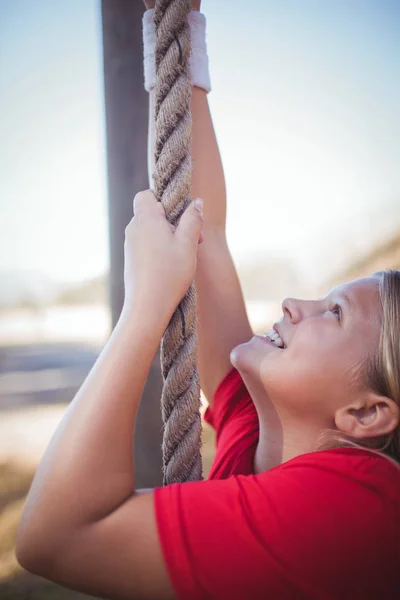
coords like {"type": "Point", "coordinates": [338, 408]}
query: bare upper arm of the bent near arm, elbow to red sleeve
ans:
{"type": "Point", "coordinates": [117, 557]}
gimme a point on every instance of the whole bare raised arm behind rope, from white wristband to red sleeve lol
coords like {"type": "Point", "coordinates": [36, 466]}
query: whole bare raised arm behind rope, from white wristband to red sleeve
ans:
{"type": "Point", "coordinates": [223, 322]}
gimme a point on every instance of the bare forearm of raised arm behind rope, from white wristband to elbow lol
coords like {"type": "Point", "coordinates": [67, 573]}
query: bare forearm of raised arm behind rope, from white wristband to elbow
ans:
{"type": "Point", "coordinates": [208, 180]}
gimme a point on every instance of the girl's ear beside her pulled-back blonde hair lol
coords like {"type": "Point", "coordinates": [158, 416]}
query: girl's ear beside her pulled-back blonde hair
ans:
{"type": "Point", "coordinates": [372, 415]}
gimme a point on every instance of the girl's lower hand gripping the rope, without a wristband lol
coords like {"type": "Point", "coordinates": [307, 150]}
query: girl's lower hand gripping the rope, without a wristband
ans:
{"type": "Point", "coordinates": [160, 263]}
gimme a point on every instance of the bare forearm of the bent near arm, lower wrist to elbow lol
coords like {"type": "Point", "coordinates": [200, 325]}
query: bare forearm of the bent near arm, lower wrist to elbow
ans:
{"type": "Point", "coordinates": [88, 468]}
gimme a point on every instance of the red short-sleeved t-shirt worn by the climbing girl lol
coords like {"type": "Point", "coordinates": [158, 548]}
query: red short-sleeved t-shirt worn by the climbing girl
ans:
{"type": "Point", "coordinates": [324, 525]}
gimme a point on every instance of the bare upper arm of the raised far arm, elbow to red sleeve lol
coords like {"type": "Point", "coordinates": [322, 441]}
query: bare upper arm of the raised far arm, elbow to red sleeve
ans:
{"type": "Point", "coordinates": [223, 321]}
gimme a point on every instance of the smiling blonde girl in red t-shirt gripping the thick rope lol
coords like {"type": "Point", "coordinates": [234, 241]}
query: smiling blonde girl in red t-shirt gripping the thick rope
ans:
{"type": "Point", "coordinates": [303, 498]}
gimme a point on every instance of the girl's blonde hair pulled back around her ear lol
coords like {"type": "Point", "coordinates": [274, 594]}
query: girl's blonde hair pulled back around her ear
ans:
{"type": "Point", "coordinates": [380, 372]}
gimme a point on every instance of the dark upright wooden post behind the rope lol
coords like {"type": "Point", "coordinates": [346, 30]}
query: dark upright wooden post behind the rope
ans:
{"type": "Point", "coordinates": [126, 108]}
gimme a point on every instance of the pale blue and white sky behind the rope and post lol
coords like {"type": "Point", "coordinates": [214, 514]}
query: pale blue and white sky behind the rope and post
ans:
{"type": "Point", "coordinates": [305, 104]}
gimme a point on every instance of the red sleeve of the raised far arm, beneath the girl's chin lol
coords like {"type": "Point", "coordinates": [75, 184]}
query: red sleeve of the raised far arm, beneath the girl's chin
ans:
{"type": "Point", "coordinates": [235, 420]}
